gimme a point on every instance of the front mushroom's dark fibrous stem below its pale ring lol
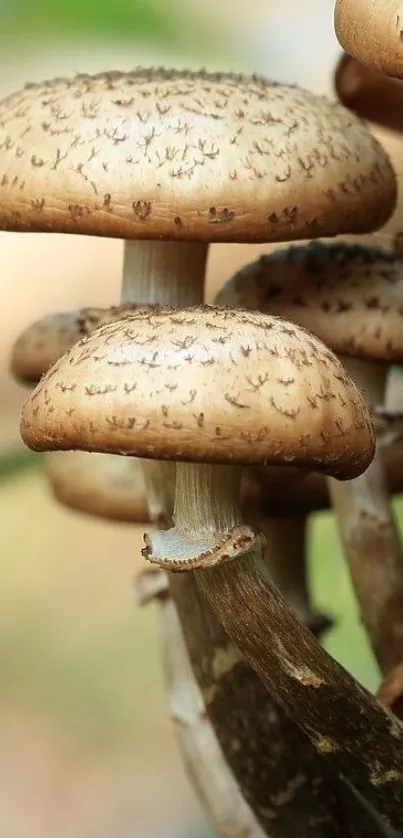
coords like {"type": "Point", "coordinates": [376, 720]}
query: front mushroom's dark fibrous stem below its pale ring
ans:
{"type": "Point", "coordinates": [354, 735]}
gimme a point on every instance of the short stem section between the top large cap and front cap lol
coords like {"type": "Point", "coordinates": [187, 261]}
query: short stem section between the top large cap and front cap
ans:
{"type": "Point", "coordinates": [164, 272]}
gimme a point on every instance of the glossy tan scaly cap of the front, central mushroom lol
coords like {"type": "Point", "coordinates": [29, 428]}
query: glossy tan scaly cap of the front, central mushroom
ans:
{"type": "Point", "coordinates": [203, 385]}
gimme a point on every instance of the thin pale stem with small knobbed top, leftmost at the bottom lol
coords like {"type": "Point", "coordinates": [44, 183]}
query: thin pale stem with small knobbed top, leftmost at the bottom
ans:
{"type": "Point", "coordinates": [202, 755]}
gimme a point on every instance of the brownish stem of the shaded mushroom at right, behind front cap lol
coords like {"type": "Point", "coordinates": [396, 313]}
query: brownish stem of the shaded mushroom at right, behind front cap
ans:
{"type": "Point", "coordinates": [370, 537]}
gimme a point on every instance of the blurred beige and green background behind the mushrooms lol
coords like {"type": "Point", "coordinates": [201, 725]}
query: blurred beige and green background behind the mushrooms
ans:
{"type": "Point", "coordinates": [86, 746]}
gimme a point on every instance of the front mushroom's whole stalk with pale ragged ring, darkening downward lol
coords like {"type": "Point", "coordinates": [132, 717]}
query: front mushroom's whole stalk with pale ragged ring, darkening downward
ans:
{"type": "Point", "coordinates": [286, 657]}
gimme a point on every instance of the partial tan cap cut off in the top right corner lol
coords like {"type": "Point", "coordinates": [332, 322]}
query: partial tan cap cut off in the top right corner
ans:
{"type": "Point", "coordinates": [371, 31]}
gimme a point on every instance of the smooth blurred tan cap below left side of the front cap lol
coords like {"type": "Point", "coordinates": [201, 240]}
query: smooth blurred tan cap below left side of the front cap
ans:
{"type": "Point", "coordinates": [103, 485]}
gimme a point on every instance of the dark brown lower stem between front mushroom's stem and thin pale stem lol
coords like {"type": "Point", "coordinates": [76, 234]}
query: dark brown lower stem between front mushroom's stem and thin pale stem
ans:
{"type": "Point", "coordinates": [279, 772]}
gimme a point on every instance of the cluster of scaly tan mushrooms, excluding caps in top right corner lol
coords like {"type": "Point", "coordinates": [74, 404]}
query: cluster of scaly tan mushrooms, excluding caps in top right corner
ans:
{"type": "Point", "coordinates": [224, 425]}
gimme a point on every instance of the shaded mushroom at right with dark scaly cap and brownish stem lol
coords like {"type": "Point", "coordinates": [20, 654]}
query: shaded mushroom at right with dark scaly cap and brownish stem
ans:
{"type": "Point", "coordinates": [349, 296]}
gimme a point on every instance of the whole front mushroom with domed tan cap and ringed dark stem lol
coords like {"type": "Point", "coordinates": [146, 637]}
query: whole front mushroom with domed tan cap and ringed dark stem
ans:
{"type": "Point", "coordinates": [143, 387]}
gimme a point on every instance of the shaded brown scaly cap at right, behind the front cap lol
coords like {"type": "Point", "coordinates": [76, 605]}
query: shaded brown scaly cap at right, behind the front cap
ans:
{"type": "Point", "coordinates": [350, 296]}
